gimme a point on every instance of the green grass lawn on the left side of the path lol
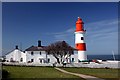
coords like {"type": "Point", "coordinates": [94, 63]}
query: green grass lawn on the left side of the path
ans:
{"type": "Point", "coordinates": [35, 72]}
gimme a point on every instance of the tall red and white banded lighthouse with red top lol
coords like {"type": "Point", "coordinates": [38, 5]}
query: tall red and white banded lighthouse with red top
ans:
{"type": "Point", "coordinates": [80, 40]}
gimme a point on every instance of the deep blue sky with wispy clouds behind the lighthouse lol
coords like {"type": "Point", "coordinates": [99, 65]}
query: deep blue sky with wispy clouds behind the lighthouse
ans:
{"type": "Point", "coordinates": [25, 23]}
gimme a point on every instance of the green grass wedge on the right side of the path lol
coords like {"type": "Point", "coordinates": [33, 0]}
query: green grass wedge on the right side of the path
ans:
{"type": "Point", "coordinates": [101, 73]}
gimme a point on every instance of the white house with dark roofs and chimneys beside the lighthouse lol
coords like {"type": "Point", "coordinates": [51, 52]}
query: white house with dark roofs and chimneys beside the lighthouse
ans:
{"type": "Point", "coordinates": [35, 54]}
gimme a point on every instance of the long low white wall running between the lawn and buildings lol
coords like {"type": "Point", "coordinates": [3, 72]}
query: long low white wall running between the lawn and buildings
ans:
{"type": "Point", "coordinates": [89, 65]}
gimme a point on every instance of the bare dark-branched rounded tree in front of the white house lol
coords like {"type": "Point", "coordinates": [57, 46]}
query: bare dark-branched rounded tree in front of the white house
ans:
{"type": "Point", "coordinates": [59, 50]}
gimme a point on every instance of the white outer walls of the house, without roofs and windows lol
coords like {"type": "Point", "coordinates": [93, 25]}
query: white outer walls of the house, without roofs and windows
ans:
{"type": "Point", "coordinates": [17, 55]}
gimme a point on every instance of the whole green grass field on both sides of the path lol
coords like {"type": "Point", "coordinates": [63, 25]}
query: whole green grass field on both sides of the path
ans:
{"type": "Point", "coordinates": [50, 72]}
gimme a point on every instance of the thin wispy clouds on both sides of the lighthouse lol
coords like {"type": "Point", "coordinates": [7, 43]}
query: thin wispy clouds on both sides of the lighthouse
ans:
{"type": "Point", "coordinates": [96, 31]}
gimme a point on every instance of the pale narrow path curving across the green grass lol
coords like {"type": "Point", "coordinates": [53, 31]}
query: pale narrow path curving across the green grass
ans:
{"type": "Point", "coordinates": [80, 75]}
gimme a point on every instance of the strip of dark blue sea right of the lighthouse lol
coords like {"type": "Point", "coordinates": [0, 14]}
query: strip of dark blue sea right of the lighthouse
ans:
{"type": "Point", "coordinates": [103, 57]}
